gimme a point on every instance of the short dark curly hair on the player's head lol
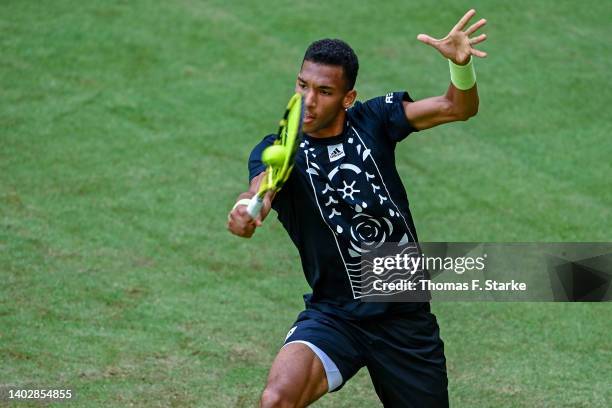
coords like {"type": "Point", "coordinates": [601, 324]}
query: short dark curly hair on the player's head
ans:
{"type": "Point", "coordinates": [334, 52]}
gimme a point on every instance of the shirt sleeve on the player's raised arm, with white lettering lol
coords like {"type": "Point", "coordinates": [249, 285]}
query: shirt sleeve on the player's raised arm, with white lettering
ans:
{"type": "Point", "coordinates": [389, 110]}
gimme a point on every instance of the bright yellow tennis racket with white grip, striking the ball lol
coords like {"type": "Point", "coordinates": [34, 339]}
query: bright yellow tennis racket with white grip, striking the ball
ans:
{"type": "Point", "coordinates": [280, 156]}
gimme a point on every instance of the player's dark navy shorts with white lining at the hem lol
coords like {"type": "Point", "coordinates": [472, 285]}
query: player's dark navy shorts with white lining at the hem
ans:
{"type": "Point", "coordinates": [404, 354]}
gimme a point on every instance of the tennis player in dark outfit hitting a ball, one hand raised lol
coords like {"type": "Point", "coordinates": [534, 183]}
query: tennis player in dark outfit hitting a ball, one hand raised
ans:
{"type": "Point", "coordinates": [345, 190]}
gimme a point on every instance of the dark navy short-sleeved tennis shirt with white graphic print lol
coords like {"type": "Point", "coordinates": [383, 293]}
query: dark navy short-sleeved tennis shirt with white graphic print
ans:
{"type": "Point", "coordinates": [344, 196]}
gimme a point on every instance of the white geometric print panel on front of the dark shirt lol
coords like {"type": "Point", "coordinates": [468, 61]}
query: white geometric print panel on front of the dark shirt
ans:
{"type": "Point", "coordinates": [355, 203]}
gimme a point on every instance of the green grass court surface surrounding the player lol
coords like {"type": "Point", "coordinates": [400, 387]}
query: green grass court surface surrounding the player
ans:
{"type": "Point", "coordinates": [125, 128]}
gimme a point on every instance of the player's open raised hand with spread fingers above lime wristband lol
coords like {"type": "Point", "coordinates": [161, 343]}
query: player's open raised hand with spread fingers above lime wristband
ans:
{"type": "Point", "coordinates": [457, 45]}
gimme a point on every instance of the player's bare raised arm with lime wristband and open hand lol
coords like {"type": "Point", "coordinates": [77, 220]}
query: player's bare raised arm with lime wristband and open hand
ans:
{"type": "Point", "coordinates": [460, 102]}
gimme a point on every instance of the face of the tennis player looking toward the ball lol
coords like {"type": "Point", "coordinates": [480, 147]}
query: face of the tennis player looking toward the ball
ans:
{"type": "Point", "coordinates": [325, 97]}
